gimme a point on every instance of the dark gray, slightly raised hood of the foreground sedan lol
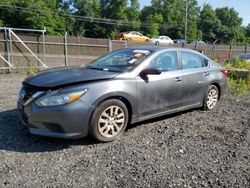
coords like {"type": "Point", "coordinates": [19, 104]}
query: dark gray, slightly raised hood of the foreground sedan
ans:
{"type": "Point", "coordinates": [62, 77]}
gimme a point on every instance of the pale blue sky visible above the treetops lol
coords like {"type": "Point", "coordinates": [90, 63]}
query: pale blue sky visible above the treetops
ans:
{"type": "Point", "coordinates": [241, 6]}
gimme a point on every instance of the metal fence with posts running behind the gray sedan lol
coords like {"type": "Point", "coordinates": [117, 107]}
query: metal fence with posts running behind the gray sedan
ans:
{"type": "Point", "coordinates": [21, 49]}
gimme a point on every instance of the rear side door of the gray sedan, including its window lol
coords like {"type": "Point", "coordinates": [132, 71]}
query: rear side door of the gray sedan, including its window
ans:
{"type": "Point", "coordinates": [195, 71]}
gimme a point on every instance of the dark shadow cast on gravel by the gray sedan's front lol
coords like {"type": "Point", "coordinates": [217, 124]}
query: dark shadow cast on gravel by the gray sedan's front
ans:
{"type": "Point", "coordinates": [15, 137]}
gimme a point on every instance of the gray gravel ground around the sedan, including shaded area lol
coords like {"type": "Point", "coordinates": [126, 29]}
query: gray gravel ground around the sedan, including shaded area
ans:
{"type": "Point", "coordinates": [188, 149]}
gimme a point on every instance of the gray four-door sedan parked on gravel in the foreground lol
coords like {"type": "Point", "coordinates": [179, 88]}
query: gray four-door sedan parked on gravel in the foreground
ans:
{"type": "Point", "coordinates": [123, 87]}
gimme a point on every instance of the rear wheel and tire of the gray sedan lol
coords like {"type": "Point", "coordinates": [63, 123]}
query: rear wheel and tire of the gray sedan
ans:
{"type": "Point", "coordinates": [211, 98]}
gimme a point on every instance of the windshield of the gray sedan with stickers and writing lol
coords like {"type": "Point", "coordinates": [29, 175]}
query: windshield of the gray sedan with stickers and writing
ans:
{"type": "Point", "coordinates": [120, 60]}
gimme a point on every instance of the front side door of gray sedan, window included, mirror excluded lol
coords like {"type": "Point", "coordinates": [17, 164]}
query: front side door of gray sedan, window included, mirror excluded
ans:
{"type": "Point", "coordinates": [158, 94]}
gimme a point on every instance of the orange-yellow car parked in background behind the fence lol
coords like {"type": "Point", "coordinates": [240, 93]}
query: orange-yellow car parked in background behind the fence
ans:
{"type": "Point", "coordinates": [132, 35]}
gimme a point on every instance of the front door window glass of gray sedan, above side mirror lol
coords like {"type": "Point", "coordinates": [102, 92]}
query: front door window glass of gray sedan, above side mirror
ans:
{"type": "Point", "coordinates": [166, 61]}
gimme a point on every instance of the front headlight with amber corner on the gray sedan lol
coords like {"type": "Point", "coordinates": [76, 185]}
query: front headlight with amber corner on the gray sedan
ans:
{"type": "Point", "coordinates": [55, 99]}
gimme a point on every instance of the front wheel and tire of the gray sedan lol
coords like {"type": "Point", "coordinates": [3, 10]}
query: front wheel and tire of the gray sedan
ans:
{"type": "Point", "coordinates": [106, 127]}
